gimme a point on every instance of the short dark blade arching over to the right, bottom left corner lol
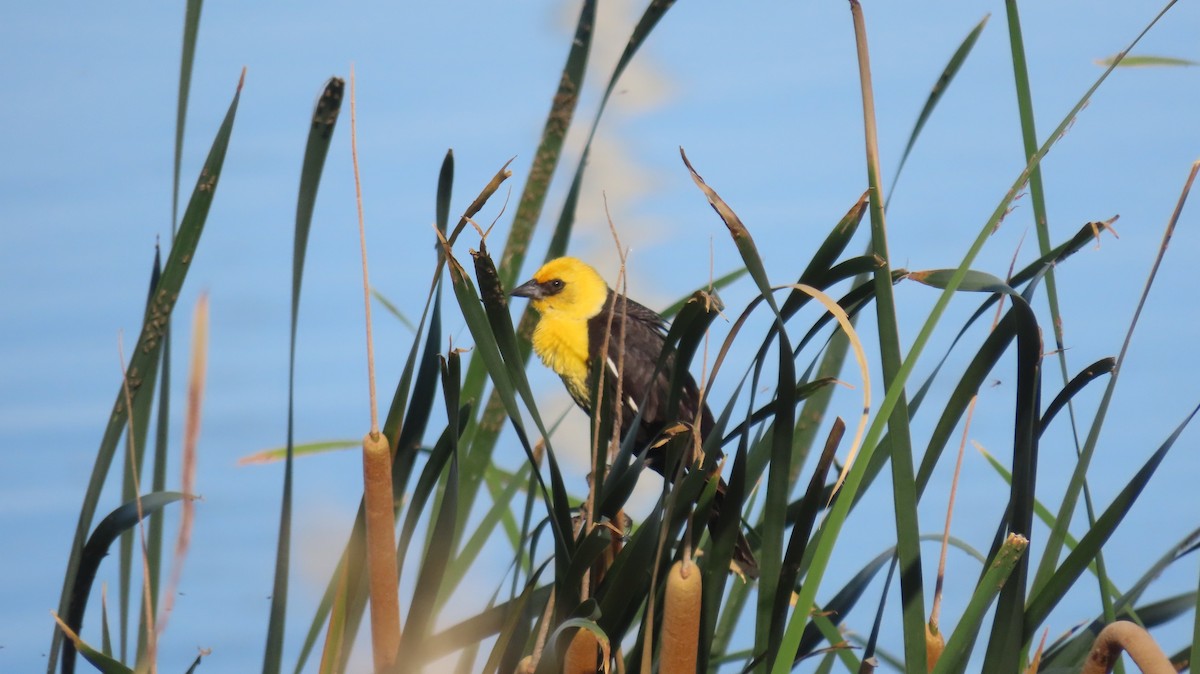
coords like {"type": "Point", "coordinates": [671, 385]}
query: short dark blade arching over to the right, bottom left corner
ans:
{"type": "Point", "coordinates": [97, 550]}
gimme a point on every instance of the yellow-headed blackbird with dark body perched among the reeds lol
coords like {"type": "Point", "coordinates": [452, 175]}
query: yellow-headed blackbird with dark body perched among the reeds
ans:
{"type": "Point", "coordinates": [574, 303]}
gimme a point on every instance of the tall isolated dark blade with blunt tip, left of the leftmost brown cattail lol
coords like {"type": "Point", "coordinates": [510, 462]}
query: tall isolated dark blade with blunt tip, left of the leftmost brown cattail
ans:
{"type": "Point", "coordinates": [321, 134]}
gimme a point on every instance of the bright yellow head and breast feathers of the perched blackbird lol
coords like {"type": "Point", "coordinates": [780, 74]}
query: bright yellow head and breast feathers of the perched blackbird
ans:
{"type": "Point", "coordinates": [561, 339]}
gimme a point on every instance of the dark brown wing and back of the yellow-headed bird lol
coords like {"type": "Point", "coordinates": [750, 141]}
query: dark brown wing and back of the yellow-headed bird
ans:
{"type": "Point", "coordinates": [641, 389]}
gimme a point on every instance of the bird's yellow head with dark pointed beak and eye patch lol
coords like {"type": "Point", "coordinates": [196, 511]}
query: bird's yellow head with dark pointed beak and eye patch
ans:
{"type": "Point", "coordinates": [566, 288]}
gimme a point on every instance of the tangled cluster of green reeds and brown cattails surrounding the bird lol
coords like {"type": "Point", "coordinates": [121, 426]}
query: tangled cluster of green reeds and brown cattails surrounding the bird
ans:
{"type": "Point", "coordinates": [585, 591]}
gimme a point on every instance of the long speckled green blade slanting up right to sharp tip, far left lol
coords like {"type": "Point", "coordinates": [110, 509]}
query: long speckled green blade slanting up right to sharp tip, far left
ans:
{"type": "Point", "coordinates": [149, 346]}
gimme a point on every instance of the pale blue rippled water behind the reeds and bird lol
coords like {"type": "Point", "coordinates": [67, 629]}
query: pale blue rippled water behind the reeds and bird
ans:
{"type": "Point", "coordinates": [764, 98]}
